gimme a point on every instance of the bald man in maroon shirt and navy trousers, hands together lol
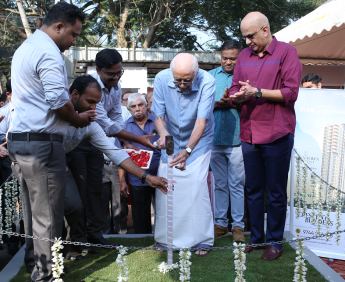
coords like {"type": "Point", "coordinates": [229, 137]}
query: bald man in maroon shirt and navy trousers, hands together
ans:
{"type": "Point", "coordinates": [265, 84]}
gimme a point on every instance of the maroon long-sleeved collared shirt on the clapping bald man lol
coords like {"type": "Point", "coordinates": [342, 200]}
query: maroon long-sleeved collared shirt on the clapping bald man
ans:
{"type": "Point", "coordinates": [264, 121]}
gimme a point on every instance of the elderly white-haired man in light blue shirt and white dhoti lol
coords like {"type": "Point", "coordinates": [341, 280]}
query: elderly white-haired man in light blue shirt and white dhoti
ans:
{"type": "Point", "coordinates": [183, 101]}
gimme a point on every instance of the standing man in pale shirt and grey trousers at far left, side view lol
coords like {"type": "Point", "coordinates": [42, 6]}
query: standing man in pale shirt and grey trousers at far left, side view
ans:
{"type": "Point", "coordinates": [42, 114]}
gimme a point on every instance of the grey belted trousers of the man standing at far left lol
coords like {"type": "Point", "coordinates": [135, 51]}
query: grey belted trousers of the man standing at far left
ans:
{"type": "Point", "coordinates": [40, 166]}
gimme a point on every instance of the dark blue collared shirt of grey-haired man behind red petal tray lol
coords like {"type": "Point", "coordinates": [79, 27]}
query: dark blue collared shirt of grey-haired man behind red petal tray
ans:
{"type": "Point", "coordinates": [132, 126]}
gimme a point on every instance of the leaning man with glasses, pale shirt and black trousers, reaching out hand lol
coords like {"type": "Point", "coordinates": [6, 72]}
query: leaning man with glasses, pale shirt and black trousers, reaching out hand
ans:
{"type": "Point", "coordinates": [89, 176]}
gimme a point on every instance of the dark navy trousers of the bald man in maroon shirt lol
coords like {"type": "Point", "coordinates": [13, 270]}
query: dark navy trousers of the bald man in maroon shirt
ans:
{"type": "Point", "coordinates": [267, 165]}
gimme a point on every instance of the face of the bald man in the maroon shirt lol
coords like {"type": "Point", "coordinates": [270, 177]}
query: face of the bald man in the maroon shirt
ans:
{"type": "Point", "coordinates": [255, 37]}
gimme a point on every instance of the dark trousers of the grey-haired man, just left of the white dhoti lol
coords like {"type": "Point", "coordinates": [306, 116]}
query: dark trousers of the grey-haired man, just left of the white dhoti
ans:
{"type": "Point", "coordinates": [141, 208]}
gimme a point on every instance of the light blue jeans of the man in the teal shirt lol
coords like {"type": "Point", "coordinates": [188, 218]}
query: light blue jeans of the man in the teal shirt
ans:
{"type": "Point", "coordinates": [228, 170]}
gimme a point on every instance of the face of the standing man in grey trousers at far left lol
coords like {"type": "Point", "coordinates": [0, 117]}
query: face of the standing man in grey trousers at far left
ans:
{"type": "Point", "coordinates": [67, 35]}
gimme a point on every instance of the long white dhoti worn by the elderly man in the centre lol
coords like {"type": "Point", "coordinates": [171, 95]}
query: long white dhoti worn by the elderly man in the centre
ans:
{"type": "Point", "coordinates": [192, 214]}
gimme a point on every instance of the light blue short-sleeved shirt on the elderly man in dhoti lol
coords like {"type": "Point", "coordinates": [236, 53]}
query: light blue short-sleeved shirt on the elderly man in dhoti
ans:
{"type": "Point", "coordinates": [181, 109]}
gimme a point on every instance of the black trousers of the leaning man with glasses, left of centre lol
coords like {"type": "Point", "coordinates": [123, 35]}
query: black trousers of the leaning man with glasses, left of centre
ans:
{"type": "Point", "coordinates": [86, 164]}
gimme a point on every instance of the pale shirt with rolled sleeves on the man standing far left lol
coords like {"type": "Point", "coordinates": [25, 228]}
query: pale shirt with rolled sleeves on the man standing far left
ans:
{"type": "Point", "coordinates": [39, 86]}
